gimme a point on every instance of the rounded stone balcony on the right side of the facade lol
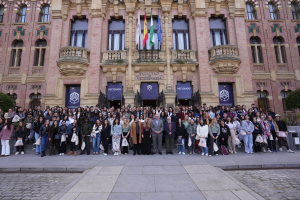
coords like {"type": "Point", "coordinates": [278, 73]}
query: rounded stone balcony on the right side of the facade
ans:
{"type": "Point", "coordinates": [224, 59]}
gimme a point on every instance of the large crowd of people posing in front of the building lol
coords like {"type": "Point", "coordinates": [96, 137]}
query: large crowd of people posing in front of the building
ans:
{"type": "Point", "coordinates": [143, 129]}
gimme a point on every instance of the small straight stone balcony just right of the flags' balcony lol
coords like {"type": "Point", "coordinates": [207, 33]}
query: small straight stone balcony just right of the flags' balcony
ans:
{"type": "Point", "coordinates": [184, 56]}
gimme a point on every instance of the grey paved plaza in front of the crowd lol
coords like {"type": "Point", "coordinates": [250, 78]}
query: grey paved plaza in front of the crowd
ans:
{"type": "Point", "coordinates": [154, 176]}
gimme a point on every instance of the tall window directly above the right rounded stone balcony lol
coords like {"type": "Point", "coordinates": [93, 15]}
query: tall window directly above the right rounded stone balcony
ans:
{"type": "Point", "coordinates": [218, 31]}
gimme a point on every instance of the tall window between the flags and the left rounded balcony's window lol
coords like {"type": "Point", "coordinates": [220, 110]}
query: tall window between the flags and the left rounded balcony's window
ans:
{"type": "Point", "coordinates": [116, 35]}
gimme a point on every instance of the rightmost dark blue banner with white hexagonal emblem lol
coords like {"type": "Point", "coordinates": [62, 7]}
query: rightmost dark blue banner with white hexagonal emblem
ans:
{"type": "Point", "coordinates": [226, 94]}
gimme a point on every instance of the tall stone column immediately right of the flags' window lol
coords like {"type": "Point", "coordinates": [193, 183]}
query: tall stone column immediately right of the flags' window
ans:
{"type": "Point", "coordinates": [169, 93]}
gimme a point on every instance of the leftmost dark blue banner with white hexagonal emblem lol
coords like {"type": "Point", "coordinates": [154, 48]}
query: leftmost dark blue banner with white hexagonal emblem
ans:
{"type": "Point", "coordinates": [73, 96]}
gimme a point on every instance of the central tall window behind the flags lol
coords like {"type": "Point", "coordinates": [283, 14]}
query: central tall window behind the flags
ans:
{"type": "Point", "coordinates": [156, 44]}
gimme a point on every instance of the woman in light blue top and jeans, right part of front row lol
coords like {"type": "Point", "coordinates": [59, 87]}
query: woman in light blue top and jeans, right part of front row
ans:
{"type": "Point", "coordinates": [248, 127]}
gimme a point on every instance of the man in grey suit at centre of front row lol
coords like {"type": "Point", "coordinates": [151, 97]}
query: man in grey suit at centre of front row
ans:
{"type": "Point", "coordinates": [157, 127]}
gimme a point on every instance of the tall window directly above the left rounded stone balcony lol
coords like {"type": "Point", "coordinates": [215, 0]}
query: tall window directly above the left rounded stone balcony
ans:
{"type": "Point", "coordinates": [79, 31]}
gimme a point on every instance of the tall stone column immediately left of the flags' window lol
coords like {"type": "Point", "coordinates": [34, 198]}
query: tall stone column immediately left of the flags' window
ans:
{"type": "Point", "coordinates": [129, 94]}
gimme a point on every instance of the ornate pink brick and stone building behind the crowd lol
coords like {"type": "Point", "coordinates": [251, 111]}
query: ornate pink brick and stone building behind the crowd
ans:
{"type": "Point", "coordinates": [85, 52]}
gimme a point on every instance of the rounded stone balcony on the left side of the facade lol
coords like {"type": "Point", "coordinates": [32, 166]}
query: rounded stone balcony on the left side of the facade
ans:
{"type": "Point", "coordinates": [73, 61]}
